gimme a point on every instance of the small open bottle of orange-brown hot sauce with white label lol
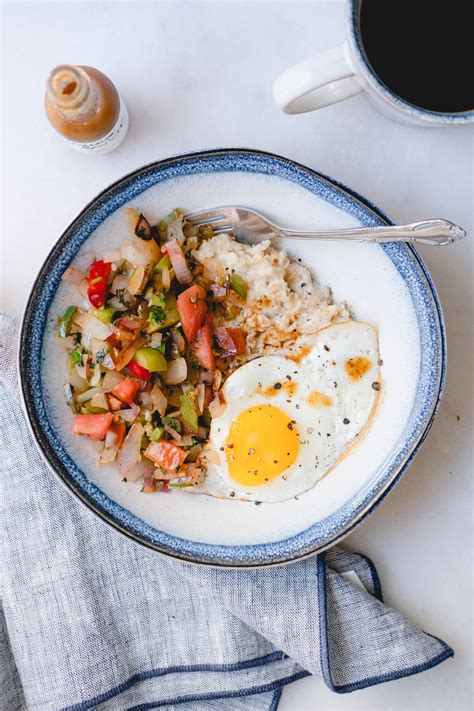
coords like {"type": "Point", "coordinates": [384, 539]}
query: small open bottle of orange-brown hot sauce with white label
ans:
{"type": "Point", "coordinates": [84, 106]}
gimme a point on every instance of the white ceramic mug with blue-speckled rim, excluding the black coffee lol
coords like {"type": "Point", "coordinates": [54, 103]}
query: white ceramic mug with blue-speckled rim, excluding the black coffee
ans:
{"type": "Point", "coordinates": [342, 72]}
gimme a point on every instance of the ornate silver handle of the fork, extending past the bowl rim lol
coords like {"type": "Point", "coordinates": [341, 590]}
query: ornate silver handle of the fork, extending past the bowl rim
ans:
{"type": "Point", "coordinates": [435, 232]}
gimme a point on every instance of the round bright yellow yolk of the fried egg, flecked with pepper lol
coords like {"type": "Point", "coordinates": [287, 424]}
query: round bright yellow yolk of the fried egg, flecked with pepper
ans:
{"type": "Point", "coordinates": [262, 443]}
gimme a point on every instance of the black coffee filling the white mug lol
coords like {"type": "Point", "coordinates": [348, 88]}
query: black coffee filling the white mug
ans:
{"type": "Point", "coordinates": [422, 50]}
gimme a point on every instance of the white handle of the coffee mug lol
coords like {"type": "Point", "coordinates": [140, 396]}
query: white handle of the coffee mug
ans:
{"type": "Point", "coordinates": [322, 80]}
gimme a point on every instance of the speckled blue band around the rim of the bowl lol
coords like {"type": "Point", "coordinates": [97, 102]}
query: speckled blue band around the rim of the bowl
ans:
{"type": "Point", "coordinates": [320, 535]}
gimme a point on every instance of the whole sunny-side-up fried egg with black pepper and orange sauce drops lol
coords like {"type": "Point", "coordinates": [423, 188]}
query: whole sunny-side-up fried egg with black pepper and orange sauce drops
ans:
{"type": "Point", "coordinates": [290, 419]}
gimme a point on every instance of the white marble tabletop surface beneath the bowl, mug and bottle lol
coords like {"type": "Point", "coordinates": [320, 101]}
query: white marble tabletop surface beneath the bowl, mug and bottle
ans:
{"type": "Point", "coordinates": [198, 75]}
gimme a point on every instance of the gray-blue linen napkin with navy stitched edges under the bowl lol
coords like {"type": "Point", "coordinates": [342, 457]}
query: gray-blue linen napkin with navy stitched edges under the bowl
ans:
{"type": "Point", "coordinates": [91, 620]}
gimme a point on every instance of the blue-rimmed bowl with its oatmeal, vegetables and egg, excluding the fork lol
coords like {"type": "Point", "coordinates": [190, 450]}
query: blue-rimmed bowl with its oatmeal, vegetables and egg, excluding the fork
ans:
{"type": "Point", "coordinates": [288, 385]}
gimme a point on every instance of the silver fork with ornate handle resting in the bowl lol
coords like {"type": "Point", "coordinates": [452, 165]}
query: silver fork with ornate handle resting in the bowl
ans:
{"type": "Point", "coordinates": [250, 226]}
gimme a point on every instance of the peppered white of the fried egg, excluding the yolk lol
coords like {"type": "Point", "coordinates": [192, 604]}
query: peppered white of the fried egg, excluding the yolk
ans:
{"type": "Point", "coordinates": [326, 432]}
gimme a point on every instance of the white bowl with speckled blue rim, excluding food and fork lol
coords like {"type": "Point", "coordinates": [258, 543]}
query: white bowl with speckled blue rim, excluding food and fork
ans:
{"type": "Point", "coordinates": [387, 285]}
